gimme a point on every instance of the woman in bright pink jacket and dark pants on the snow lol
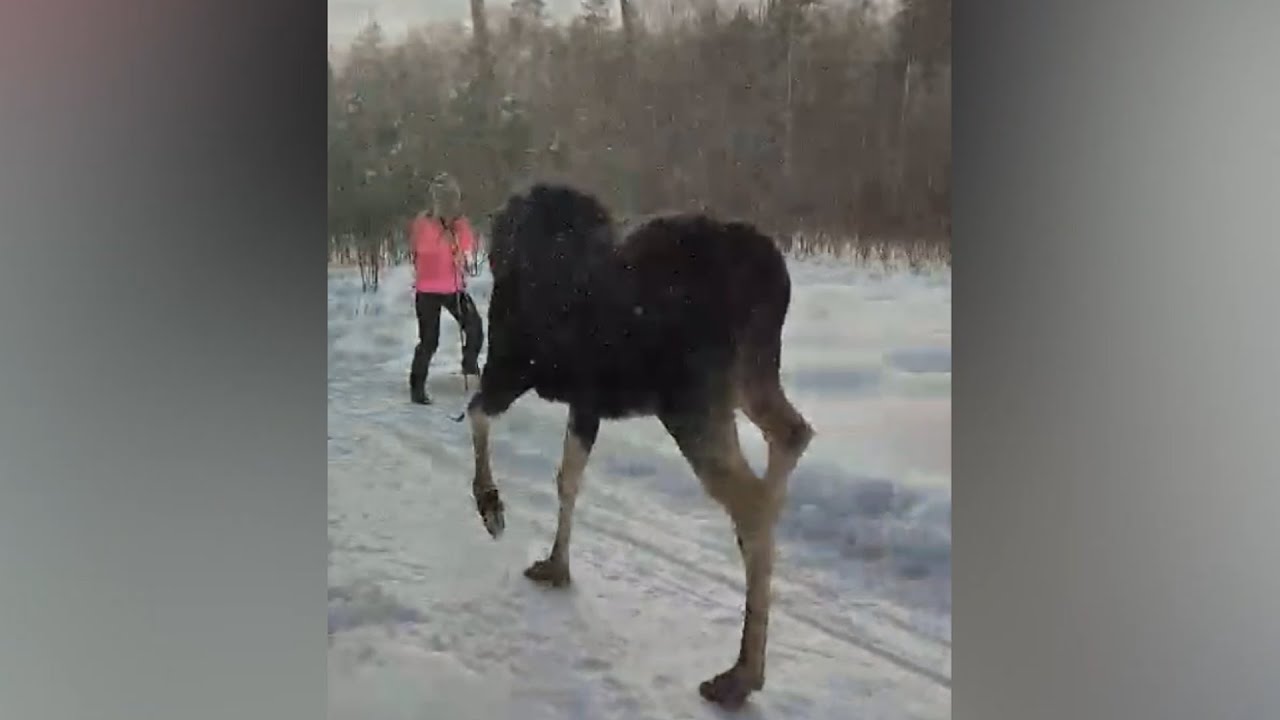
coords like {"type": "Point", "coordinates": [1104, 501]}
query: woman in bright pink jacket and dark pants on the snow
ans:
{"type": "Point", "coordinates": [441, 243]}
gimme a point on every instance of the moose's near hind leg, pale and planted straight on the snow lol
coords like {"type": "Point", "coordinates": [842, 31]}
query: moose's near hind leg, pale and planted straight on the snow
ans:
{"type": "Point", "coordinates": [712, 448]}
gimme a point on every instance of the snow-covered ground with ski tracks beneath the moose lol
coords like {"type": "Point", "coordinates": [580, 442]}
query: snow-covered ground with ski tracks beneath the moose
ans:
{"type": "Point", "coordinates": [432, 619]}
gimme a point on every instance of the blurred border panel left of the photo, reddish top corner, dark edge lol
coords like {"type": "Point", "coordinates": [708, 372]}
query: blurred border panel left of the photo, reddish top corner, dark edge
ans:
{"type": "Point", "coordinates": [163, 362]}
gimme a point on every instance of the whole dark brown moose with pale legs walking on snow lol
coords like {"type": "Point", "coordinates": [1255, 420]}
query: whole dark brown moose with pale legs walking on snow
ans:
{"type": "Point", "coordinates": [680, 320]}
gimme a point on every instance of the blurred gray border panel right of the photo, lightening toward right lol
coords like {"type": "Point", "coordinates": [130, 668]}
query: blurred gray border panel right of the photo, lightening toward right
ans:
{"type": "Point", "coordinates": [1116, 470]}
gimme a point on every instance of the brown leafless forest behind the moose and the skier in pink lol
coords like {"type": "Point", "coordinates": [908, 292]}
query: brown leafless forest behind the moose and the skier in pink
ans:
{"type": "Point", "coordinates": [828, 124]}
